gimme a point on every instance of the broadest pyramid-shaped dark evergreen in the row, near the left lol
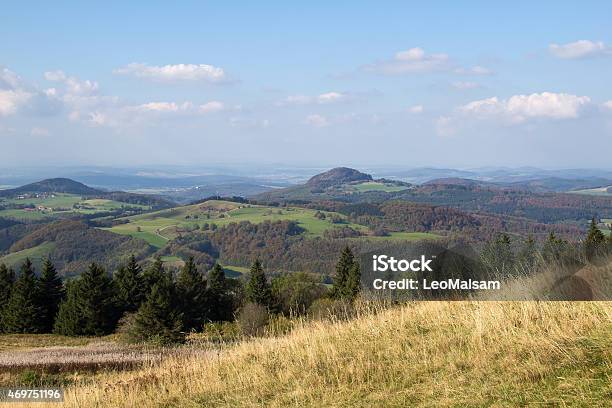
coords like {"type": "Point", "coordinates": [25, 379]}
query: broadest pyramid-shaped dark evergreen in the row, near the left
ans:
{"type": "Point", "coordinates": [90, 307]}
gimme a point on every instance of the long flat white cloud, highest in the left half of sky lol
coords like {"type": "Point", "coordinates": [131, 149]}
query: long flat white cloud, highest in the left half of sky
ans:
{"type": "Point", "coordinates": [177, 72]}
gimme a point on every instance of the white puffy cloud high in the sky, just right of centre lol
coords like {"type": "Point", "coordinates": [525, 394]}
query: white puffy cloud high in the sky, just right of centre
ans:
{"type": "Point", "coordinates": [414, 60]}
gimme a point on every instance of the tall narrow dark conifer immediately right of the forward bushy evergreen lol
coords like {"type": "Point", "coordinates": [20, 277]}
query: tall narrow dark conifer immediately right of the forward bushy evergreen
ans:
{"type": "Point", "coordinates": [191, 287]}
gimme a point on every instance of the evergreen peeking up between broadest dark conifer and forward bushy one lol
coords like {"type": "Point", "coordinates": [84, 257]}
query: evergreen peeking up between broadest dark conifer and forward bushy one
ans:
{"type": "Point", "coordinates": [129, 286]}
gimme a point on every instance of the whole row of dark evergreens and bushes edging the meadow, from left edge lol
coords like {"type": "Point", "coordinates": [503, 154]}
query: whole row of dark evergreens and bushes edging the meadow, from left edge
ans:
{"type": "Point", "coordinates": [153, 303]}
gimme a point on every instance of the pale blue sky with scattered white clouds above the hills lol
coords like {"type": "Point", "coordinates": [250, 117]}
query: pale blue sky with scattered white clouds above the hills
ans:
{"type": "Point", "coordinates": [443, 84]}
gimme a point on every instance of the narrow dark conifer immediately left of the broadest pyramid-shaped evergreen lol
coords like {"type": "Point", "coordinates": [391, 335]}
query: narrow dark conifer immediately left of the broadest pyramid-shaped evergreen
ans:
{"type": "Point", "coordinates": [51, 293]}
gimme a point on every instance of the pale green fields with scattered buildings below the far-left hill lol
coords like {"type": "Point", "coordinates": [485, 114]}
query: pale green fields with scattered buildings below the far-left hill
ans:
{"type": "Point", "coordinates": [57, 205]}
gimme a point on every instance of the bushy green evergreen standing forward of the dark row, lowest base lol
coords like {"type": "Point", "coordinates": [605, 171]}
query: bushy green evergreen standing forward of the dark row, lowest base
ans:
{"type": "Point", "coordinates": [158, 319]}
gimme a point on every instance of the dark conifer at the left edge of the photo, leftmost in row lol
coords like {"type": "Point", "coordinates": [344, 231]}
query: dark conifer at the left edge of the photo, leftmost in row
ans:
{"type": "Point", "coordinates": [22, 314]}
